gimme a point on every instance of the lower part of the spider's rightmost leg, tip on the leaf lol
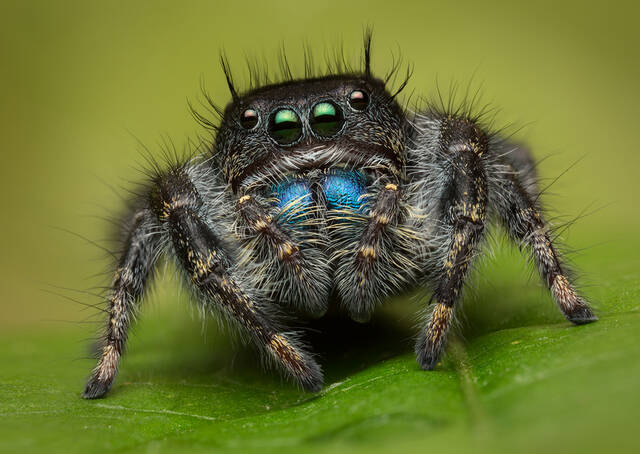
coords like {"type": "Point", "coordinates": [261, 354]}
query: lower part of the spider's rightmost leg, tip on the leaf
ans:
{"type": "Point", "coordinates": [525, 225]}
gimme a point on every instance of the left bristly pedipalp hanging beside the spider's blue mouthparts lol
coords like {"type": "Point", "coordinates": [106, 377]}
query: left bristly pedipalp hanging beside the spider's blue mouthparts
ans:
{"type": "Point", "coordinates": [301, 274]}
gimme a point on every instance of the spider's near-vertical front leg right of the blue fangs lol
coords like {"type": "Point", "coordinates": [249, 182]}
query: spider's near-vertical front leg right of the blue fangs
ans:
{"type": "Point", "coordinates": [463, 211]}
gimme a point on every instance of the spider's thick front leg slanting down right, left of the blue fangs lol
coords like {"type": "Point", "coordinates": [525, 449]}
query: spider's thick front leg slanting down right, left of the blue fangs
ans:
{"type": "Point", "coordinates": [223, 287]}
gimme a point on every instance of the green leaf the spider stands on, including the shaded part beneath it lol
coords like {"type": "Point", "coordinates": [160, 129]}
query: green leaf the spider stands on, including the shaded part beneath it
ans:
{"type": "Point", "coordinates": [516, 377]}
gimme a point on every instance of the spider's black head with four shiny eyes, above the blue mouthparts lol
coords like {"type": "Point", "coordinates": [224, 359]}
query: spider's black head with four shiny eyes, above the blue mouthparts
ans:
{"type": "Point", "coordinates": [323, 123]}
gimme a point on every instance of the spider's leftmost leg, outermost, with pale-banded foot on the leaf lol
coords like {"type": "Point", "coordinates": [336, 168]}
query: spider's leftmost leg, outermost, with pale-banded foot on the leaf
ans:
{"type": "Point", "coordinates": [128, 284]}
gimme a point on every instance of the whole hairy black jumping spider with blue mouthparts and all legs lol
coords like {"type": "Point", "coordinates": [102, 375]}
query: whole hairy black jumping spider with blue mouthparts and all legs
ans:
{"type": "Point", "coordinates": [326, 186]}
